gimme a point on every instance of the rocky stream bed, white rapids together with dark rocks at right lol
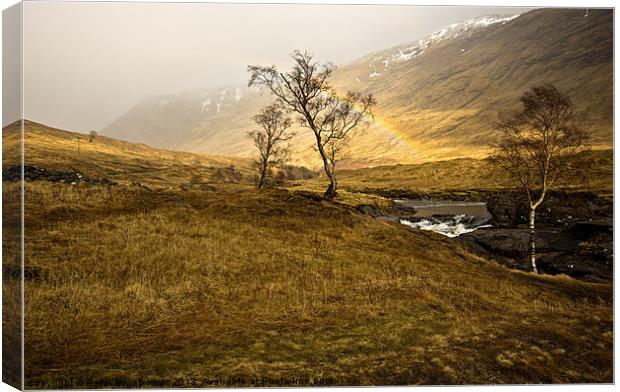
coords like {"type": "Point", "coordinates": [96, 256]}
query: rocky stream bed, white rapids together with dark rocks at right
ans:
{"type": "Point", "coordinates": [574, 230]}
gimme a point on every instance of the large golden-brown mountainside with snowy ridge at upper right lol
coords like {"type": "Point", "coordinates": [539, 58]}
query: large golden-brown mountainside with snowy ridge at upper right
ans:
{"type": "Point", "coordinates": [447, 98]}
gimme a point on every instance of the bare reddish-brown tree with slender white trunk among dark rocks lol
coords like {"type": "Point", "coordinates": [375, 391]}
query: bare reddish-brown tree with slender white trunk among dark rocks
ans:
{"type": "Point", "coordinates": [536, 145]}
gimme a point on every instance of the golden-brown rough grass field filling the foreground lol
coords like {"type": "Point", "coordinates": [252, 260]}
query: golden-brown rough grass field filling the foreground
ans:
{"type": "Point", "coordinates": [129, 286]}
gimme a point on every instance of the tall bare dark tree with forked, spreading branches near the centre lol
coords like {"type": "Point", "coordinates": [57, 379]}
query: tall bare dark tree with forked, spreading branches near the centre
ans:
{"type": "Point", "coordinates": [305, 91]}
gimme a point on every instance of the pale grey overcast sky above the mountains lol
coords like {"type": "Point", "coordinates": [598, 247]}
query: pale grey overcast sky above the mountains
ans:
{"type": "Point", "coordinates": [87, 63]}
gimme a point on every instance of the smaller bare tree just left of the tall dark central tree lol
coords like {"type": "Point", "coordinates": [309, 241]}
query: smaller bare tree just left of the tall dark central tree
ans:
{"type": "Point", "coordinates": [270, 140]}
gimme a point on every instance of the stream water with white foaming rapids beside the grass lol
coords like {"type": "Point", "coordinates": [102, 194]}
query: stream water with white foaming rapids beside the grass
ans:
{"type": "Point", "coordinates": [447, 217]}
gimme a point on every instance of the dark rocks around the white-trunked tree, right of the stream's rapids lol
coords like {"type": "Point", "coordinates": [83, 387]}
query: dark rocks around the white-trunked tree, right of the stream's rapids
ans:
{"type": "Point", "coordinates": [574, 235]}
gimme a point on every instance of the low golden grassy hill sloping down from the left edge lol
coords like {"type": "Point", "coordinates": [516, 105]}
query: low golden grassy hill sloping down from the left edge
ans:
{"type": "Point", "coordinates": [104, 157]}
